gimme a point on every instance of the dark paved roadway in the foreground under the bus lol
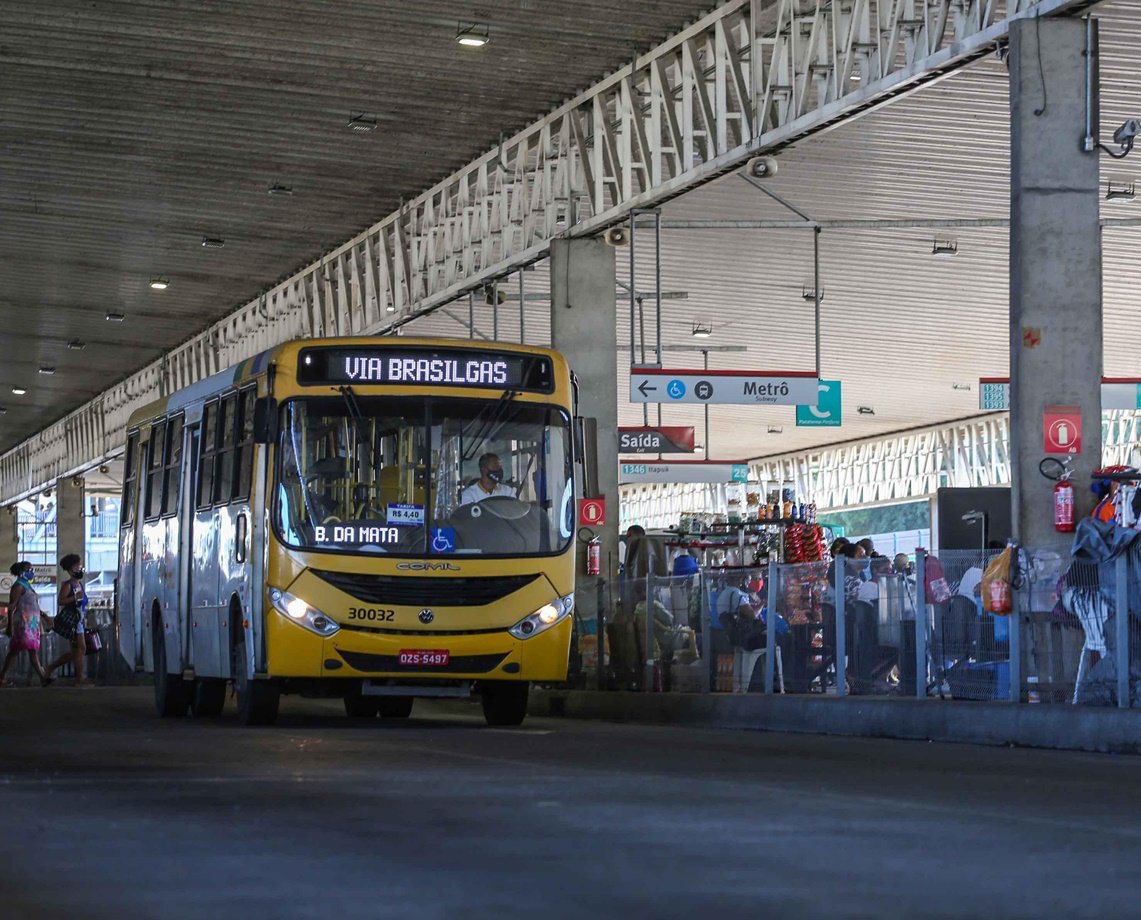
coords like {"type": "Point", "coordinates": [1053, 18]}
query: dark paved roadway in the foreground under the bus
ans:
{"type": "Point", "coordinates": [110, 813]}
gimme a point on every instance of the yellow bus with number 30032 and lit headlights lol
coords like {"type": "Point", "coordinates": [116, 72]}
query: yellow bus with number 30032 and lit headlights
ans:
{"type": "Point", "coordinates": [368, 519]}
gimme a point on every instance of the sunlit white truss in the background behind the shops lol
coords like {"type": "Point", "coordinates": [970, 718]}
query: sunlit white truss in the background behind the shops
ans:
{"type": "Point", "coordinates": [908, 467]}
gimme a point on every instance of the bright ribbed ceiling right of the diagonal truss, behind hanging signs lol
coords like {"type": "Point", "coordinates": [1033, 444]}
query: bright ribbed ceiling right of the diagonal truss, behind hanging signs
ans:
{"type": "Point", "coordinates": [901, 327]}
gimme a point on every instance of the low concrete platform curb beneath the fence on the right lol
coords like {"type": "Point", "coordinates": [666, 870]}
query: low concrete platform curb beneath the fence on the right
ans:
{"type": "Point", "coordinates": [1061, 728]}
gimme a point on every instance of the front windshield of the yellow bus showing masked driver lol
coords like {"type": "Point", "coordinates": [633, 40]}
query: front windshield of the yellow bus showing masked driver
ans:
{"type": "Point", "coordinates": [424, 478]}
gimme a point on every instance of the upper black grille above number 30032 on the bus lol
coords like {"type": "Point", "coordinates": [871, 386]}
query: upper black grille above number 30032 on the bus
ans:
{"type": "Point", "coordinates": [425, 592]}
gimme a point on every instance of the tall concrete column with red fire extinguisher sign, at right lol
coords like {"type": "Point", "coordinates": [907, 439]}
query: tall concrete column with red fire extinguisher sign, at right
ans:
{"type": "Point", "coordinates": [1056, 351]}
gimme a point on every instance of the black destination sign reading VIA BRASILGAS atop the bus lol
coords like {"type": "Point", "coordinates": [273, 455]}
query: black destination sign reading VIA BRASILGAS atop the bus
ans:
{"type": "Point", "coordinates": [371, 366]}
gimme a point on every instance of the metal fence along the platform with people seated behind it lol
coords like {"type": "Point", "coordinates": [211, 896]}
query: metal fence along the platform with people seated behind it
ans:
{"type": "Point", "coordinates": [877, 628]}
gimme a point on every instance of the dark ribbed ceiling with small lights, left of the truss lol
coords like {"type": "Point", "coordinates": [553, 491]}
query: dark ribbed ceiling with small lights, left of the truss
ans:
{"type": "Point", "coordinates": [131, 131]}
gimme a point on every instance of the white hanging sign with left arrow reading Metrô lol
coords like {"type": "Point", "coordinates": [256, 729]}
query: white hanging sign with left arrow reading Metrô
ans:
{"type": "Point", "coordinates": [663, 385]}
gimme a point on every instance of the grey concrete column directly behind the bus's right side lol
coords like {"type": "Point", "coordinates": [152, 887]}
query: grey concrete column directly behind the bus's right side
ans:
{"type": "Point", "coordinates": [584, 328]}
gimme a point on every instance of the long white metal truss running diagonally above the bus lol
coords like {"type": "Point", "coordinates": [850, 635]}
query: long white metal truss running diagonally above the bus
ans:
{"type": "Point", "coordinates": [751, 77]}
